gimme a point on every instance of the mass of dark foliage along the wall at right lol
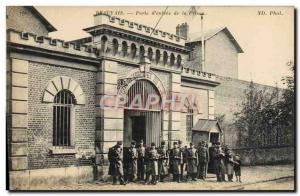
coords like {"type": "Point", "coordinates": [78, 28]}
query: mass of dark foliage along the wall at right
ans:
{"type": "Point", "coordinates": [265, 119]}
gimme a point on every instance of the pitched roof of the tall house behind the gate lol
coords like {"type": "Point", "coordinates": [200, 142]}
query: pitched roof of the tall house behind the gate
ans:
{"type": "Point", "coordinates": [196, 37]}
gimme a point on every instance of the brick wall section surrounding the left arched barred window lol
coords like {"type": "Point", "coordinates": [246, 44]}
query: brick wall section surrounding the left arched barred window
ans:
{"type": "Point", "coordinates": [40, 116]}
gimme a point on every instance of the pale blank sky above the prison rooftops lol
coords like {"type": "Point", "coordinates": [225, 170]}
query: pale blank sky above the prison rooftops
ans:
{"type": "Point", "coordinates": [267, 39]}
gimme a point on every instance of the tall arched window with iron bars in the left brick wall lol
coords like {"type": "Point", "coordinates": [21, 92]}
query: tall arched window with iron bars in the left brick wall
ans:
{"type": "Point", "coordinates": [62, 117]}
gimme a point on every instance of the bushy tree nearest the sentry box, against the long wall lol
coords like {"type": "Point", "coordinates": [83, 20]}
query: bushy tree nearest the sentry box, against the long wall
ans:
{"type": "Point", "coordinates": [254, 120]}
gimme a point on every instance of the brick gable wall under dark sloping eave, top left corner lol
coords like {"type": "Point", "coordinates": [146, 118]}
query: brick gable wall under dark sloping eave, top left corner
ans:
{"type": "Point", "coordinates": [20, 18]}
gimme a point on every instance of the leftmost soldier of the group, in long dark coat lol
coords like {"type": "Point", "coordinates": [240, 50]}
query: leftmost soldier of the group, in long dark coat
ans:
{"type": "Point", "coordinates": [115, 158]}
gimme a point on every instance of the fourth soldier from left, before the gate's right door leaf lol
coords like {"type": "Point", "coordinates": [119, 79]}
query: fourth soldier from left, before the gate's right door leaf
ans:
{"type": "Point", "coordinates": [152, 164]}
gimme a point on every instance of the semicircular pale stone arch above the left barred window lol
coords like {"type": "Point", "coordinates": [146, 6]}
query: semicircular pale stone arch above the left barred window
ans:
{"type": "Point", "coordinates": [63, 83]}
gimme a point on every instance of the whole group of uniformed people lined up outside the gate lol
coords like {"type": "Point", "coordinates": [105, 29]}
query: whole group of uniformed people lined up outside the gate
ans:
{"type": "Point", "coordinates": [153, 164]}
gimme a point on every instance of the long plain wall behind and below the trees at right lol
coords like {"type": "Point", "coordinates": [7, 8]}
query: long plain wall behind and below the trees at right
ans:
{"type": "Point", "coordinates": [229, 96]}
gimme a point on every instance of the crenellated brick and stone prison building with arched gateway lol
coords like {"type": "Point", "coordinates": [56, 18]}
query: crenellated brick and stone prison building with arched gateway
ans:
{"type": "Point", "coordinates": [62, 115]}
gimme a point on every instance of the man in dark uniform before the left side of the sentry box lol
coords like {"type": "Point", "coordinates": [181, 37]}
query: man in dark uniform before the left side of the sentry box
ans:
{"type": "Point", "coordinates": [203, 157]}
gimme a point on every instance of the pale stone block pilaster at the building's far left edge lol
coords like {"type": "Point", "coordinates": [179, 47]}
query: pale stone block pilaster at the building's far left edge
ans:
{"type": "Point", "coordinates": [17, 80]}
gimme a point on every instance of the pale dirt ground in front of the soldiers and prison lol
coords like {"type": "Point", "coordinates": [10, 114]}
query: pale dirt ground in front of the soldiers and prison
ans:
{"type": "Point", "coordinates": [280, 177]}
